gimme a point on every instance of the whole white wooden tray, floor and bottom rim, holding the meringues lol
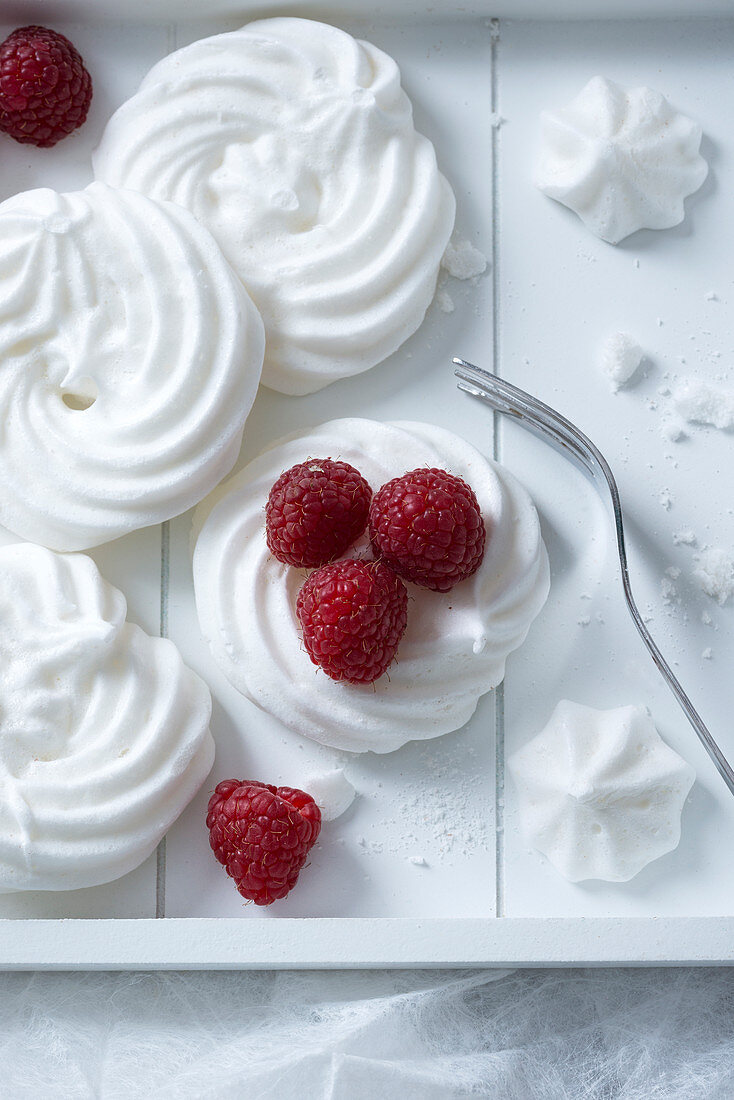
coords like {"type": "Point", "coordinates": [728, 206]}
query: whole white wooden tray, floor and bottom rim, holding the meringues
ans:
{"type": "Point", "coordinates": [552, 294]}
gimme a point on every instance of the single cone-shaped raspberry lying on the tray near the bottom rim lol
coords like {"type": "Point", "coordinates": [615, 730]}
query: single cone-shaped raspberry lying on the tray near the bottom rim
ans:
{"type": "Point", "coordinates": [262, 834]}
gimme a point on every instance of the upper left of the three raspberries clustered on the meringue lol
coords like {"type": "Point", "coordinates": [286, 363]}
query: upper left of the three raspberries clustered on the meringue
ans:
{"type": "Point", "coordinates": [315, 512]}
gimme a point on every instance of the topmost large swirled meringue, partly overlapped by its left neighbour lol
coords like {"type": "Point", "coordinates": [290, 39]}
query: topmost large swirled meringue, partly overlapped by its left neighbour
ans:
{"type": "Point", "coordinates": [294, 144]}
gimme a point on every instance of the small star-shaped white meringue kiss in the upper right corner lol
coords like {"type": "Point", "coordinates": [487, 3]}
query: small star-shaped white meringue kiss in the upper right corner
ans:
{"type": "Point", "coordinates": [622, 159]}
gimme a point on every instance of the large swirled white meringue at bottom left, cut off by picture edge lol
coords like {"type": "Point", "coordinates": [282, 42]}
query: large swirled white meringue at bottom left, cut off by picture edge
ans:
{"type": "Point", "coordinates": [105, 734]}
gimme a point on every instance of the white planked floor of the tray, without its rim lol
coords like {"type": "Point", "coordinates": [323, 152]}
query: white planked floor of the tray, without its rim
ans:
{"type": "Point", "coordinates": [561, 292]}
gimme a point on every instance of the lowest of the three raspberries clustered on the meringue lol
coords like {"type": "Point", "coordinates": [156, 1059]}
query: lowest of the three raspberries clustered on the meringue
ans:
{"type": "Point", "coordinates": [354, 615]}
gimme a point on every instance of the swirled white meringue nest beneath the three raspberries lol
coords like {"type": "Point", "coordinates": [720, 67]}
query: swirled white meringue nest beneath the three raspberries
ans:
{"type": "Point", "coordinates": [456, 644]}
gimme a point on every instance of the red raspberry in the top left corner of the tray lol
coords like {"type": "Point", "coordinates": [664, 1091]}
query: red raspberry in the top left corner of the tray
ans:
{"type": "Point", "coordinates": [46, 90]}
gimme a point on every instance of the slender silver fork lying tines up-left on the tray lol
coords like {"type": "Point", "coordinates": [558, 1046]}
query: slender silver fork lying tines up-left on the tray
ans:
{"type": "Point", "coordinates": [574, 445]}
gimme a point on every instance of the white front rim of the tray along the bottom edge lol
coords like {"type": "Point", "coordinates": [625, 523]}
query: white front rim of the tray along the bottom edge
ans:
{"type": "Point", "coordinates": [363, 943]}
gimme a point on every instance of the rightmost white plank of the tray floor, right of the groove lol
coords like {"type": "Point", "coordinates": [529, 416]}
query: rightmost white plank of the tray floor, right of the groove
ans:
{"type": "Point", "coordinates": [562, 292]}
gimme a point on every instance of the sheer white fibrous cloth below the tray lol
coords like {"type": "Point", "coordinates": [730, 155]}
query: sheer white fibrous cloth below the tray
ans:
{"type": "Point", "coordinates": [410, 1036]}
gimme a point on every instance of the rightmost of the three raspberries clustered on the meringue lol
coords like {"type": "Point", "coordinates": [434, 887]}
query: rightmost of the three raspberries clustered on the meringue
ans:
{"type": "Point", "coordinates": [429, 529]}
